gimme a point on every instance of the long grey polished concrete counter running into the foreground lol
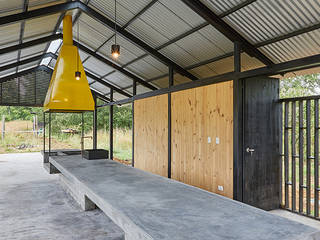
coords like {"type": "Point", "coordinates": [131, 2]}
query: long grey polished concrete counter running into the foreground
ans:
{"type": "Point", "coordinates": [148, 206]}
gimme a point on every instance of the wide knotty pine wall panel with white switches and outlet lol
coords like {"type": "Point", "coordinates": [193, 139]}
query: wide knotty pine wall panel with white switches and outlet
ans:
{"type": "Point", "coordinates": [196, 115]}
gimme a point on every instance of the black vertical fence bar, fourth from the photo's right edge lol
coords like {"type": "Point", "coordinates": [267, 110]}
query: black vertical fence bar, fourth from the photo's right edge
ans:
{"type": "Point", "coordinates": [293, 157]}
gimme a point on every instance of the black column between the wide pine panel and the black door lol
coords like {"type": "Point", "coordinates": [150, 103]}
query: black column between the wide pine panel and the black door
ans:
{"type": "Point", "coordinates": [237, 127]}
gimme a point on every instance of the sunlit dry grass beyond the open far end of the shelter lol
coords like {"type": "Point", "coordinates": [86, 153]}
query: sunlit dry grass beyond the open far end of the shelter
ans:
{"type": "Point", "coordinates": [27, 142]}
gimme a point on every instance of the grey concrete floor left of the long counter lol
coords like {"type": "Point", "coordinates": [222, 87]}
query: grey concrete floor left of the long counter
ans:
{"type": "Point", "coordinates": [34, 206]}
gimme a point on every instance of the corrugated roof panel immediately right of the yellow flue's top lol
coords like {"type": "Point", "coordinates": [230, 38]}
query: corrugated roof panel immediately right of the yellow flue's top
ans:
{"type": "Point", "coordinates": [91, 32]}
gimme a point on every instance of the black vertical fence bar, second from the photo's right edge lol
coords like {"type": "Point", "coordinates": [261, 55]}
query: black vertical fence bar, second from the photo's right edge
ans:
{"type": "Point", "coordinates": [308, 156]}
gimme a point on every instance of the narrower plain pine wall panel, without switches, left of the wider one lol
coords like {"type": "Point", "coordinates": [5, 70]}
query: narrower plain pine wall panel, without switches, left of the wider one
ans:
{"type": "Point", "coordinates": [151, 134]}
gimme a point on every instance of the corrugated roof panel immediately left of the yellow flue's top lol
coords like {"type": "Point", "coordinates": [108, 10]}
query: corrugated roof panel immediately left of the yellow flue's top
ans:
{"type": "Point", "coordinates": [38, 26]}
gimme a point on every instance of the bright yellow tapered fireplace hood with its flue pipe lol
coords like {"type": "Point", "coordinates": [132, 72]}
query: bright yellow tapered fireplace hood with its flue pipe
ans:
{"type": "Point", "coordinates": [65, 92]}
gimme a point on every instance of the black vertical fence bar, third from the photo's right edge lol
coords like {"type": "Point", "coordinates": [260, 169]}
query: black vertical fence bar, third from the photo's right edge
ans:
{"type": "Point", "coordinates": [301, 187]}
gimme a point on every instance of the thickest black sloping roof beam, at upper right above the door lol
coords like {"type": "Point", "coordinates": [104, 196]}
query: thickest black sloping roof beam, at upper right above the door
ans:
{"type": "Point", "coordinates": [226, 30]}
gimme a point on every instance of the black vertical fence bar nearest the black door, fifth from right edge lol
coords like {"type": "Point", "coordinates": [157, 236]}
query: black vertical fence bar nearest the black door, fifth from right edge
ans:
{"type": "Point", "coordinates": [286, 154]}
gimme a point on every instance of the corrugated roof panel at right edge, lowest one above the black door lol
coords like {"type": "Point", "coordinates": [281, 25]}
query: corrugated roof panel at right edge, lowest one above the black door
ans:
{"type": "Point", "coordinates": [300, 46]}
